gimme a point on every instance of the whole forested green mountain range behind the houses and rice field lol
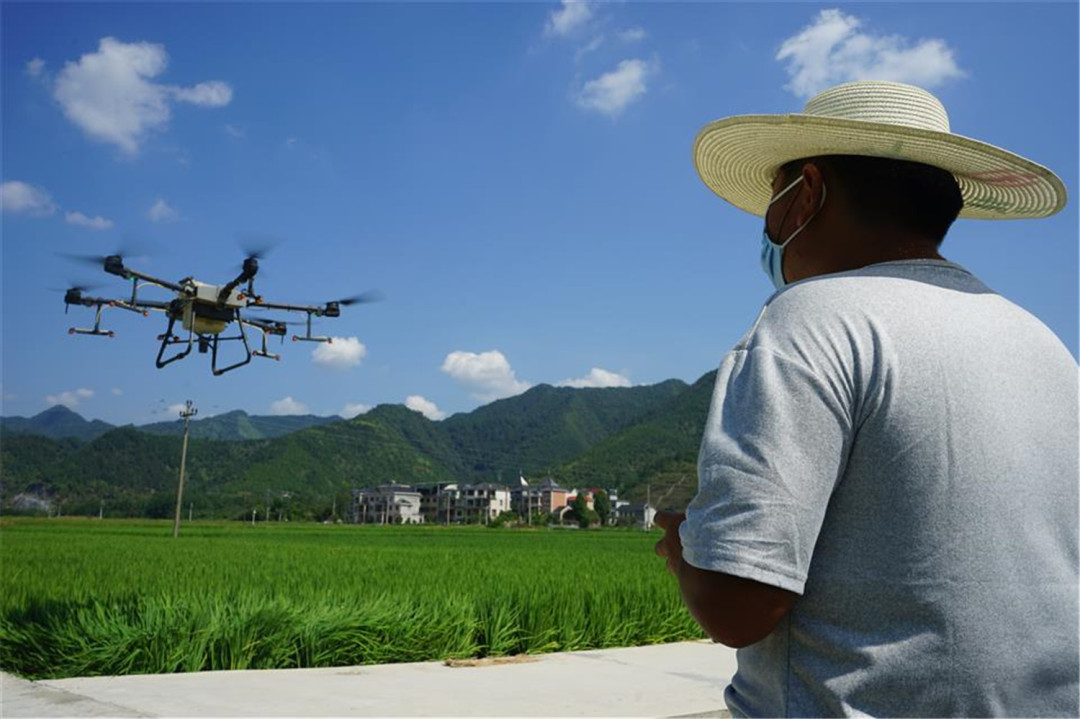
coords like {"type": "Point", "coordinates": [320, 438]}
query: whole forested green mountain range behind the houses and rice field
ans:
{"type": "Point", "coordinates": [134, 473]}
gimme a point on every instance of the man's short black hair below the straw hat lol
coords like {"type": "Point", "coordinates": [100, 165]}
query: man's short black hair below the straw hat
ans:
{"type": "Point", "coordinates": [888, 193]}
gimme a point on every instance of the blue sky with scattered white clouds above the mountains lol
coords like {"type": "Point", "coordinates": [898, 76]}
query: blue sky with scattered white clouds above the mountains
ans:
{"type": "Point", "coordinates": [516, 179]}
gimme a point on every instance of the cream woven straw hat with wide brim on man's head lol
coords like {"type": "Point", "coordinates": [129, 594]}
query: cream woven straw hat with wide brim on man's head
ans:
{"type": "Point", "coordinates": [739, 157]}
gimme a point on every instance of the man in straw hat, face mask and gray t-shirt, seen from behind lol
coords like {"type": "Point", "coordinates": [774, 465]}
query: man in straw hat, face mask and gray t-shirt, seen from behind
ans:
{"type": "Point", "coordinates": [886, 521]}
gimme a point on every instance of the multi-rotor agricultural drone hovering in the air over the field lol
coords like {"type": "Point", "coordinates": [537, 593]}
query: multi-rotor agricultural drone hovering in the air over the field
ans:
{"type": "Point", "coordinates": [205, 311]}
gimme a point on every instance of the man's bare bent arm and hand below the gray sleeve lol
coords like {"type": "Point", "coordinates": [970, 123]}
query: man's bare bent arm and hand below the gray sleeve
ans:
{"type": "Point", "coordinates": [733, 611]}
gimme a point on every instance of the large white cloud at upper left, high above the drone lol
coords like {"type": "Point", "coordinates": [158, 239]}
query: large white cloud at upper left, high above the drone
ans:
{"type": "Point", "coordinates": [110, 94]}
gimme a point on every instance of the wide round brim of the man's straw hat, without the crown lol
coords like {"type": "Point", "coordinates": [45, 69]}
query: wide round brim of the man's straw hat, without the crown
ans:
{"type": "Point", "coordinates": [738, 159]}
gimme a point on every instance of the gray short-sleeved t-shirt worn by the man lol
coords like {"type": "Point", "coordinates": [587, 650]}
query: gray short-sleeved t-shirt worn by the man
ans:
{"type": "Point", "coordinates": [899, 445]}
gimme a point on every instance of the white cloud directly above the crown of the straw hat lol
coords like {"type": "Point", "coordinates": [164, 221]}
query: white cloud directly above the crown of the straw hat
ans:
{"type": "Point", "coordinates": [832, 50]}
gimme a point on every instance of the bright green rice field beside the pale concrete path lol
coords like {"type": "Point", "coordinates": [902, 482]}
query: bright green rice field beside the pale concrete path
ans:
{"type": "Point", "coordinates": [84, 598]}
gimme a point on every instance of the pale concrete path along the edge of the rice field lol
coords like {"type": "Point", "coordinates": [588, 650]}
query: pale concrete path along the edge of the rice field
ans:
{"type": "Point", "coordinates": [685, 680]}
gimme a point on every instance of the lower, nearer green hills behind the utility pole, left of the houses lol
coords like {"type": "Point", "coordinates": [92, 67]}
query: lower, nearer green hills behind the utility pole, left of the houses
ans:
{"type": "Point", "coordinates": [136, 473]}
